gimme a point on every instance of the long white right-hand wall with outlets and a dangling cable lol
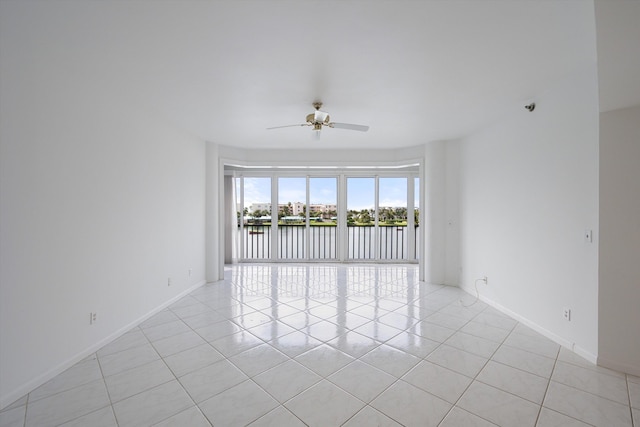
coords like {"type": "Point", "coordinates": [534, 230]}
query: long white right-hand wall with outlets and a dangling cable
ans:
{"type": "Point", "coordinates": [528, 190]}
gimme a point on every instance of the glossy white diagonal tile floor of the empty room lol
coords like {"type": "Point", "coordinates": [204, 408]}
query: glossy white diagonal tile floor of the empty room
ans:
{"type": "Point", "coordinates": [330, 345]}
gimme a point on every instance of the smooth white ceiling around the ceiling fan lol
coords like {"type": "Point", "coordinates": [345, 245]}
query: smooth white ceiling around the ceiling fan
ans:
{"type": "Point", "coordinates": [413, 70]}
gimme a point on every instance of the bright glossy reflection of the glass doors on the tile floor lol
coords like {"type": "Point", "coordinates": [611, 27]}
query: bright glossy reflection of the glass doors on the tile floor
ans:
{"type": "Point", "coordinates": [325, 300]}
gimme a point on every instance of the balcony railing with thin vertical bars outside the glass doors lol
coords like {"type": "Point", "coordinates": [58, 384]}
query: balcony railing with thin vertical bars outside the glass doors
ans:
{"type": "Point", "coordinates": [323, 242]}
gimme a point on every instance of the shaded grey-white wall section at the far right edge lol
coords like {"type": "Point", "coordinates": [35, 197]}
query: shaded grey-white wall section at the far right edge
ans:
{"type": "Point", "coordinates": [619, 268]}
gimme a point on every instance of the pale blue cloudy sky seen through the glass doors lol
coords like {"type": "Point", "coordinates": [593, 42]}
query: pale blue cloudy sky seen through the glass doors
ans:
{"type": "Point", "coordinates": [360, 191]}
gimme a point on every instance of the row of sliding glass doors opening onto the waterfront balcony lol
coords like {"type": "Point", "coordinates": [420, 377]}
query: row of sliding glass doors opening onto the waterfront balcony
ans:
{"type": "Point", "coordinates": [345, 217]}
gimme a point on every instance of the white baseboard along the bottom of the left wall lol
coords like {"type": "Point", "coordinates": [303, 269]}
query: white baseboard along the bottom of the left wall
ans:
{"type": "Point", "coordinates": [28, 387]}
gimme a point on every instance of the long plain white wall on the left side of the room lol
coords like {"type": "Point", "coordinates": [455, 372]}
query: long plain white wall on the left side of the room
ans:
{"type": "Point", "coordinates": [100, 205]}
